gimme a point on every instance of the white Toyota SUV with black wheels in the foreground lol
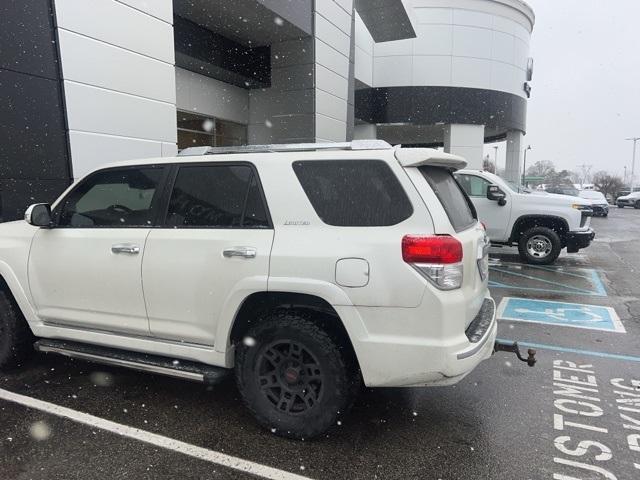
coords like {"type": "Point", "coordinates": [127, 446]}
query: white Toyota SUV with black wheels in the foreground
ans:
{"type": "Point", "coordinates": [306, 269]}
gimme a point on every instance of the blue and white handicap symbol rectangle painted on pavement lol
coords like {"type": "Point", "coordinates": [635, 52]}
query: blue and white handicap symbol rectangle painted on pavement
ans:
{"type": "Point", "coordinates": [577, 315]}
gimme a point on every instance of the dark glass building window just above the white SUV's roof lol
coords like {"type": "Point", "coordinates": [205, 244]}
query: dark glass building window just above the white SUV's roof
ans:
{"type": "Point", "coordinates": [198, 131]}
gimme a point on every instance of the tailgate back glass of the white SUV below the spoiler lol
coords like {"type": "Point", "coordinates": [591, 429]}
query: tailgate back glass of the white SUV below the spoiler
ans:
{"type": "Point", "coordinates": [457, 205]}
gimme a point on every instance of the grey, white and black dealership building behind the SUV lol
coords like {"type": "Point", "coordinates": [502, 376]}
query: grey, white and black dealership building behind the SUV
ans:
{"type": "Point", "coordinates": [84, 83]}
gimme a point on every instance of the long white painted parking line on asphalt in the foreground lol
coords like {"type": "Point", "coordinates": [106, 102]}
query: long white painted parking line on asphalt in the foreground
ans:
{"type": "Point", "coordinates": [200, 453]}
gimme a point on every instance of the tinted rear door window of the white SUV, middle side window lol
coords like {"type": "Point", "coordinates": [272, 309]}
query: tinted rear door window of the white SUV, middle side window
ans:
{"type": "Point", "coordinates": [217, 196]}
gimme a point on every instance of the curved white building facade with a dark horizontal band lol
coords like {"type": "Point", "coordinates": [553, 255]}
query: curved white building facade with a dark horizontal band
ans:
{"type": "Point", "coordinates": [461, 82]}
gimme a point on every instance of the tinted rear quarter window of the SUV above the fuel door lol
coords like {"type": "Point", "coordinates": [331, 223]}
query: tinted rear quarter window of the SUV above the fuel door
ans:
{"type": "Point", "coordinates": [354, 193]}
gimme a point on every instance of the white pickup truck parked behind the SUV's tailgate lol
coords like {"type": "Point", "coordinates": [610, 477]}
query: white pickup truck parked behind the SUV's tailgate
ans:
{"type": "Point", "coordinates": [540, 224]}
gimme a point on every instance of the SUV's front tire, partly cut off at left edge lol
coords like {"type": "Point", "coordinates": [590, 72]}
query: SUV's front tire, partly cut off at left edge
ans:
{"type": "Point", "coordinates": [16, 339]}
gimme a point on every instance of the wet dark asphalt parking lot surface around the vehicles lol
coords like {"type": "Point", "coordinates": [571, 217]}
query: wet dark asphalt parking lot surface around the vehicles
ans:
{"type": "Point", "coordinates": [505, 420]}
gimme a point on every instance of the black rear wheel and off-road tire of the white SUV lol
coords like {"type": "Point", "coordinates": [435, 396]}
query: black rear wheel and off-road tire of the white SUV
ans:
{"type": "Point", "coordinates": [332, 396]}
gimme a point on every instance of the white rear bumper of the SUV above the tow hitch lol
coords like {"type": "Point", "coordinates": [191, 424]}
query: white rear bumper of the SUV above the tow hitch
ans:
{"type": "Point", "coordinates": [394, 361]}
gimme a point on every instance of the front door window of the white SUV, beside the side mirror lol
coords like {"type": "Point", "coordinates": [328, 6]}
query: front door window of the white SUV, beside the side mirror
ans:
{"type": "Point", "coordinates": [112, 198]}
